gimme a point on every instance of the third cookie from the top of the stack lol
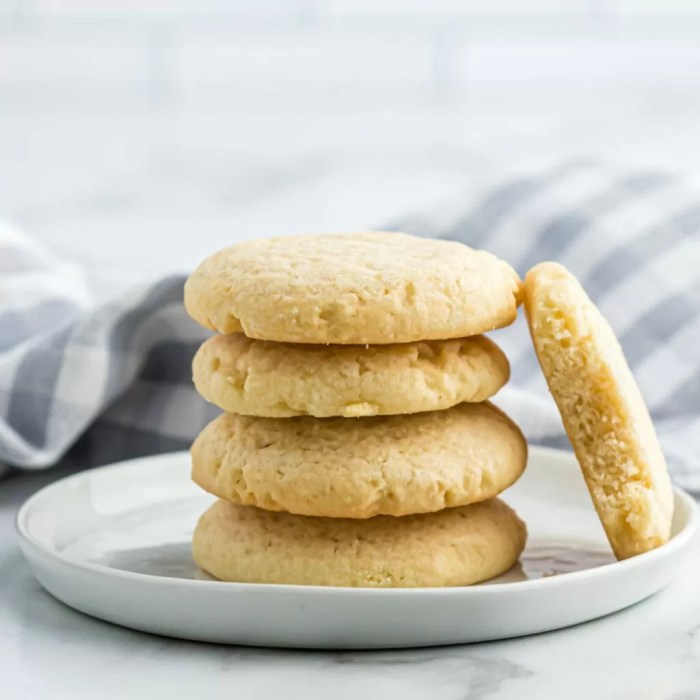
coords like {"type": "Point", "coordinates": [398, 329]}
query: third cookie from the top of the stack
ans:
{"type": "Point", "coordinates": [362, 467]}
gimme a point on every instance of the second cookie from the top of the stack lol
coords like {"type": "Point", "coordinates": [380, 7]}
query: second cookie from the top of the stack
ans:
{"type": "Point", "coordinates": [260, 378]}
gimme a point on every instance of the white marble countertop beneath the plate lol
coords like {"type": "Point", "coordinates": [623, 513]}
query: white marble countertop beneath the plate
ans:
{"type": "Point", "coordinates": [47, 650]}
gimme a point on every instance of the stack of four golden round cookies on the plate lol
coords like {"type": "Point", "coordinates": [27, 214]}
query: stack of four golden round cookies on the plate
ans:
{"type": "Point", "coordinates": [357, 447]}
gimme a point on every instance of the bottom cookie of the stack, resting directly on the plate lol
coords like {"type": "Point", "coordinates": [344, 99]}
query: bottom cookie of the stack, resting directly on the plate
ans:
{"type": "Point", "coordinates": [453, 547]}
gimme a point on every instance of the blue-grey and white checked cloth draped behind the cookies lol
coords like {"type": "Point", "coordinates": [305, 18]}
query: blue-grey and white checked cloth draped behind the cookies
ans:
{"type": "Point", "coordinates": [86, 386]}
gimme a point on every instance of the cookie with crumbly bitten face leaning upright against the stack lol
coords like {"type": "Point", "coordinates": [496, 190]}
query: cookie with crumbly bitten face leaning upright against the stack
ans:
{"type": "Point", "coordinates": [603, 411]}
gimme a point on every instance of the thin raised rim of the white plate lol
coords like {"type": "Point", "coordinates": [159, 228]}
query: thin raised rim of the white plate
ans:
{"type": "Point", "coordinates": [677, 542]}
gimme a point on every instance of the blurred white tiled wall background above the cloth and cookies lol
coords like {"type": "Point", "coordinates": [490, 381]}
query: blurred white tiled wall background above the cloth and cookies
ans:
{"type": "Point", "coordinates": [136, 137]}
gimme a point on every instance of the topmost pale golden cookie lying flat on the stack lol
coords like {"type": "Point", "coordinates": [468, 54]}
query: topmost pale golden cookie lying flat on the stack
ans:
{"type": "Point", "coordinates": [376, 288]}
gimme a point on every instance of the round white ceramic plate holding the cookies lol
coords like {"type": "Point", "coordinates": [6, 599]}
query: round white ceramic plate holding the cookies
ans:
{"type": "Point", "coordinates": [114, 542]}
